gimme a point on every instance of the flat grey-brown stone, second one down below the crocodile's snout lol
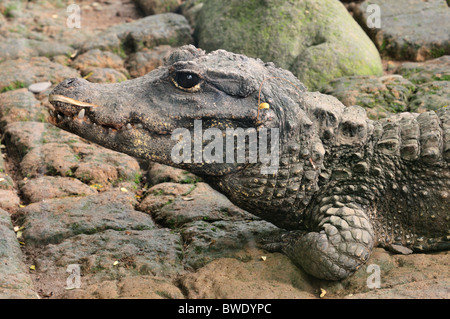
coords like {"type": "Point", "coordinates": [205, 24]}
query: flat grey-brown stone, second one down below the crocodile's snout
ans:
{"type": "Point", "coordinates": [54, 220]}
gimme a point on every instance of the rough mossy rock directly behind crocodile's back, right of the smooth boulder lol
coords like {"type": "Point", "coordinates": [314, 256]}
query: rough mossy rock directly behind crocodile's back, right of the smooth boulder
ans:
{"type": "Point", "coordinates": [419, 87]}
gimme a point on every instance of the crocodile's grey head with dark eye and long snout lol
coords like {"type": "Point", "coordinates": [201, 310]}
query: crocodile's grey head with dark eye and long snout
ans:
{"type": "Point", "coordinates": [139, 116]}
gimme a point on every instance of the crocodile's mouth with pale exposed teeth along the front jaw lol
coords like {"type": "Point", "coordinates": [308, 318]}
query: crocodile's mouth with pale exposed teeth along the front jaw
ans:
{"type": "Point", "coordinates": [68, 112]}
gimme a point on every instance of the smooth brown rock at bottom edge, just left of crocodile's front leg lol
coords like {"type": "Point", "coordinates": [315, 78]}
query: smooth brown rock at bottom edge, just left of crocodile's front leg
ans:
{"type": "Point", "coordinates": [249, 278]}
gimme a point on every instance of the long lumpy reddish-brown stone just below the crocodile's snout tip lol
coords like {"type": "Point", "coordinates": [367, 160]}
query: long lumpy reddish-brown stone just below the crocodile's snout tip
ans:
{"type": "Point", "coordinates": [43, 149]}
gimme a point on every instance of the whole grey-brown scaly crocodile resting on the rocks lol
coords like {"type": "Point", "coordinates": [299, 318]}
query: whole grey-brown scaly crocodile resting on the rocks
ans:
{"type": "Point", "coordinates": [344, 183]}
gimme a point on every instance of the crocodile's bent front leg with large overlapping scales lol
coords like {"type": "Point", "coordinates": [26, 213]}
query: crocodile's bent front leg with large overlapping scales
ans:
{"type": "Point", "coordinates": [342, 243]}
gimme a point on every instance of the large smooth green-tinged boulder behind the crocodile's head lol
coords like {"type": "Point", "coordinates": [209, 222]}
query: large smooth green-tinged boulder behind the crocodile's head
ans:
{"type": "Point", "coordinates": [317, 41]}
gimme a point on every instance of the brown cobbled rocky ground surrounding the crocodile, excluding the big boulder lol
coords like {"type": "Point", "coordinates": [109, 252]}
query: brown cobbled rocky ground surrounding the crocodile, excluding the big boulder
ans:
{"type": "Point", "coordinates": [144, 230]}
